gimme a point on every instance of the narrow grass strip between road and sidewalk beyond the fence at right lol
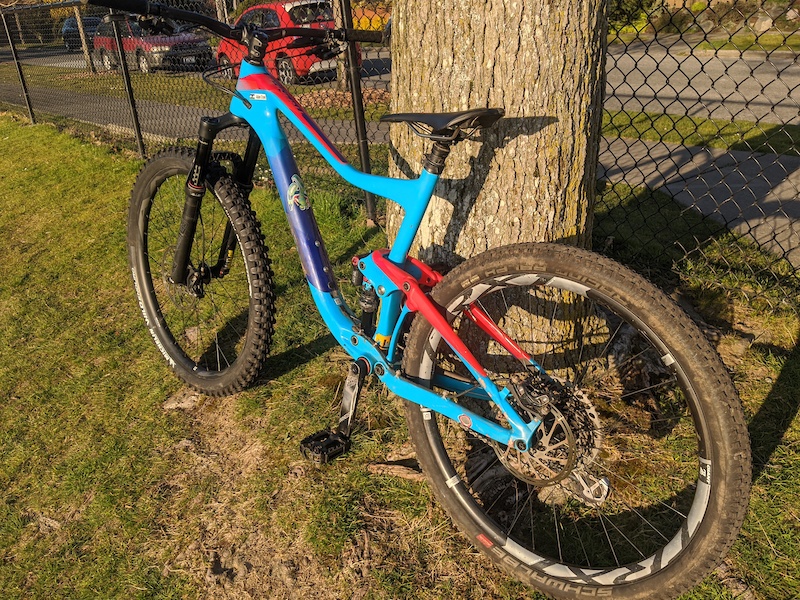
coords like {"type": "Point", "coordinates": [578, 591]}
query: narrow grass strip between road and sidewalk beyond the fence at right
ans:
{"type": "Point", "coordinates": [710, 133]}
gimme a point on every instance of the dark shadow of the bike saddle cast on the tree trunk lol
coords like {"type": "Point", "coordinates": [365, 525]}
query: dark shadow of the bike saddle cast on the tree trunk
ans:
{"type": "Point", "coordinates": [479, 166]}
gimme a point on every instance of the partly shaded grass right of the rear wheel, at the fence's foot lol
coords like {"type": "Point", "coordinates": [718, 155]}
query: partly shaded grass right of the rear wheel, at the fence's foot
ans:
{"type": "Point", "coordinates": [733, 287]}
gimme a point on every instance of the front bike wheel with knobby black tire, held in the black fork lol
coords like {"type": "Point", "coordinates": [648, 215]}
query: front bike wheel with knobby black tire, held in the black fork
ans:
{"type": "Point", "coordinates": [215, 329]}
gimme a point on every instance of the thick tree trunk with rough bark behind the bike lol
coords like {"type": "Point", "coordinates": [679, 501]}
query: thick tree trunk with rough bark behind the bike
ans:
{"type": "Point", "coordinates": [532, 176]}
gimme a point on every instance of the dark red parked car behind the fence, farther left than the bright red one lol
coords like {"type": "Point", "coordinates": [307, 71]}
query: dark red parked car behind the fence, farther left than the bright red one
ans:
{"type": "Point", "coordinates": [147, 51]}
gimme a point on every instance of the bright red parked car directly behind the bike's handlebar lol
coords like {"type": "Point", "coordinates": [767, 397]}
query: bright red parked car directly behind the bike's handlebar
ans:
{"type": "Point", "coordinates": [285, 59]}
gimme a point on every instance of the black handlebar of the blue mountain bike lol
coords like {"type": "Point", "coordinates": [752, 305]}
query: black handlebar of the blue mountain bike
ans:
{"type": "Point", "coordinates": [238, 34]}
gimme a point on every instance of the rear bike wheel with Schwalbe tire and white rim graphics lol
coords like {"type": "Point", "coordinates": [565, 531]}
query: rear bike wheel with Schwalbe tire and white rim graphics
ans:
{"type": "Point", "coordinates": [638, 482]}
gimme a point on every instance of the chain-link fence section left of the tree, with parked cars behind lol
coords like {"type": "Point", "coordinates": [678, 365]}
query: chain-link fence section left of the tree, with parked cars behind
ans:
{"type": "Point", "coordinates": [71, 66]}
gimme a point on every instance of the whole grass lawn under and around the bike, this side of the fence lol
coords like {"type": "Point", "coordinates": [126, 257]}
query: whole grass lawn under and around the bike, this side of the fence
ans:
{"type": "Point", "coordinates": [104, 493]}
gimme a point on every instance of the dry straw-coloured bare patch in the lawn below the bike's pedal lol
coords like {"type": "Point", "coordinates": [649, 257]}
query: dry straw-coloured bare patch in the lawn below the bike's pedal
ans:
{"type": "Point", "coordinates": [220, 541]}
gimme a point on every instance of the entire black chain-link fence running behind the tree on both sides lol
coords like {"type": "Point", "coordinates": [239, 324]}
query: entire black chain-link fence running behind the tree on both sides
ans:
{"type": "Point", "coordinates": [699, 154]}
